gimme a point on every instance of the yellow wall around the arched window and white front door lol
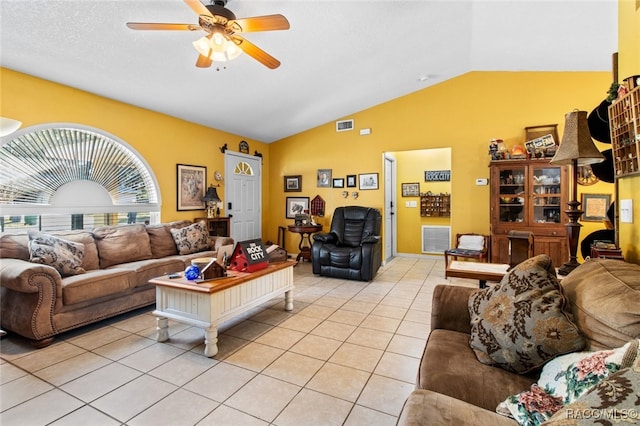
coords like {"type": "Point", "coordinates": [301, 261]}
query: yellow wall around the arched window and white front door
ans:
{"type": "Point", "coordinates": [162, 140]}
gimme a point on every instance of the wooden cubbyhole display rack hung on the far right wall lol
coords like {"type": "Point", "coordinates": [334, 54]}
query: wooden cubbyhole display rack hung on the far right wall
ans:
{"type": "Point", "coordinates": [624, 122]}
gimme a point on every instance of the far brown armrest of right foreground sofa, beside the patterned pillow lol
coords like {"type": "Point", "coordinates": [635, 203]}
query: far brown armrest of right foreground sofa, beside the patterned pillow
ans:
{"type": "Point", "coordinates": [450, 309]}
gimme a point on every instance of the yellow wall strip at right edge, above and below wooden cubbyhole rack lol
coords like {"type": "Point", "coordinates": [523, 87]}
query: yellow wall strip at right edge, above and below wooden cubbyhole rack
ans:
{"type": "Point", "coordinates": [628, 65]}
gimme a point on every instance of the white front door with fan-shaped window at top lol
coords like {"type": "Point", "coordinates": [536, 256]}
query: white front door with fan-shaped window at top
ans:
{"type": "Point", "coordinates": [243, 191]}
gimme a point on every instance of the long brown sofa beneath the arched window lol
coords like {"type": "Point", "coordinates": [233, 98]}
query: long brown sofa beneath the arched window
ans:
{"type": "Point", "coordinates": [38, 303]}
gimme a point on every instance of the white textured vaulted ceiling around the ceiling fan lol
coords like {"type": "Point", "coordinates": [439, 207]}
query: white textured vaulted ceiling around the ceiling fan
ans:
{"type": "Point", "coordinates": [338, 57]}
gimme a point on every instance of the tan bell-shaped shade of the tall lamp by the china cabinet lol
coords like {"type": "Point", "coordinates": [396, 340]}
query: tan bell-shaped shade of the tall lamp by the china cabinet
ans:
{"type": "Point", "coordinates": [576, 142]}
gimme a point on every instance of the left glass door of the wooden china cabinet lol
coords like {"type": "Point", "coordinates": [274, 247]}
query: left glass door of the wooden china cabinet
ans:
{"type": "Point", "coordinates": [512, 195]}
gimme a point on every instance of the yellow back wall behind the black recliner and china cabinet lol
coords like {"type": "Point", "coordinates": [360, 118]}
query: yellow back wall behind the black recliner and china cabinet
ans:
{"type": "Point", "coordinates": [464, 113]}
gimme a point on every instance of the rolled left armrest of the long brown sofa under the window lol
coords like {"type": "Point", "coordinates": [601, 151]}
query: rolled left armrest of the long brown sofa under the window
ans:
{"type": "Point", "coordinates": [31, 293]}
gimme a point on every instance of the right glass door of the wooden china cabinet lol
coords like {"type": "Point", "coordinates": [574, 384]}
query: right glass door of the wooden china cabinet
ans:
{"type": "Point", "coordinates": [546, 194]}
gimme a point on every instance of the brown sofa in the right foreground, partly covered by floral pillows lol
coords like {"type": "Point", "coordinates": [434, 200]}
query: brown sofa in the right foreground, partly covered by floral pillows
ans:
{"type": "Point", "coordinates": [454, 388]}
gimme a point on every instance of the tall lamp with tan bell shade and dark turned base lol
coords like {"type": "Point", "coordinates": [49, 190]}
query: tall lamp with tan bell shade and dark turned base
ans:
{"type": "Point", "coordinates": [577, 149]}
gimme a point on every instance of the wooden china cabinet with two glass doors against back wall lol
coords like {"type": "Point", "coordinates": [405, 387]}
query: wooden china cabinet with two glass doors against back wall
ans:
{"type": "Point", "coordinates": [529, 195]}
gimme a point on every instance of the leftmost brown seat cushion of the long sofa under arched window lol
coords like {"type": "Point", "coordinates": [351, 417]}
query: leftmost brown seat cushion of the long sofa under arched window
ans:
{"type": "Point", "coordinates": [95, 284]}
